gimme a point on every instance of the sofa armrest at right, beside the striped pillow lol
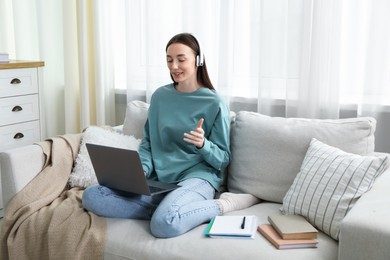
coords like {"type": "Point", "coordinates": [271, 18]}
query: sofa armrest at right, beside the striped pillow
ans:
{"type": "Point", "coordinates": [365, 231]}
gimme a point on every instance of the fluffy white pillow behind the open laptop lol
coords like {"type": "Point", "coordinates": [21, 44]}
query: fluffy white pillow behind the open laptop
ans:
{"type": "Point", "coordinates": [83, 174]}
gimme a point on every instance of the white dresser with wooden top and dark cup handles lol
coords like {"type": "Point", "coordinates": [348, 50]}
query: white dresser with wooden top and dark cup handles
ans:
{"type": "Point", "coordinates": [21, 118]}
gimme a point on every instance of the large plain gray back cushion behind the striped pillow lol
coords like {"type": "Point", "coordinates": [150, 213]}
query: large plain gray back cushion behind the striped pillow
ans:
{"type": "Point", "coordinates": [267, 152]}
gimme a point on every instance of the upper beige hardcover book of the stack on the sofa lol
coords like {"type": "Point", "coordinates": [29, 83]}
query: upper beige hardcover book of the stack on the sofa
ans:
{"type": "Point", "coordinates": [292, 227]}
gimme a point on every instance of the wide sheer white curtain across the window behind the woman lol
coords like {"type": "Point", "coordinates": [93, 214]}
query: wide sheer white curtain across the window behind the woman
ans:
{"type": "Point", "coordinates": [291, 58]}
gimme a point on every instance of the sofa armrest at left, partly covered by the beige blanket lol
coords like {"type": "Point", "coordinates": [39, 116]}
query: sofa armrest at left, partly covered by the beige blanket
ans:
{"type": "Point", "coordinates": [18, 167]}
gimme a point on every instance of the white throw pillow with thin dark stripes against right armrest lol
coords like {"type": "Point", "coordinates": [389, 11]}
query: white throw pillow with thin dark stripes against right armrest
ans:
{"type": "Point", "coordinates": [329, 183]}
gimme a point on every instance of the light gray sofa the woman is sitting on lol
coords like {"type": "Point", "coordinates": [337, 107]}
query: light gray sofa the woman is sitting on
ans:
{"type": "Point", "coordinates": [267, 154]}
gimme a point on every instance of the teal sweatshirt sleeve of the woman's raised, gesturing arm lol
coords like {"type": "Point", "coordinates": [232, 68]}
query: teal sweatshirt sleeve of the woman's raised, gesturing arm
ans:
{"type": "Point", "coordinates": [216, 148]}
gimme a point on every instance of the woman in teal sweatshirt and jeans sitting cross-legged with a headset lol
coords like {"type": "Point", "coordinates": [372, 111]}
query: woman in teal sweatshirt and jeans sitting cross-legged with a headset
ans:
{"type": "Point", "coordinates": [186, 141]}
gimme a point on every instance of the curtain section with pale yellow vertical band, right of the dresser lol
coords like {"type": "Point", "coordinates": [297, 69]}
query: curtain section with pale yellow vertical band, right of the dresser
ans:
{"type": "Point", "coordinates": [88, 64]}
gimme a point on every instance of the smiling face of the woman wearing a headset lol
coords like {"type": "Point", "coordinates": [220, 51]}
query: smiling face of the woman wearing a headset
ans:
{"type": "Point", "coordinates": [181, 63]}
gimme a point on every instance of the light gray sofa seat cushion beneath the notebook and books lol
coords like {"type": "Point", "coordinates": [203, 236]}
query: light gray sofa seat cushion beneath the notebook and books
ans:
{"type": "Point", "coordinates": [131, 239]}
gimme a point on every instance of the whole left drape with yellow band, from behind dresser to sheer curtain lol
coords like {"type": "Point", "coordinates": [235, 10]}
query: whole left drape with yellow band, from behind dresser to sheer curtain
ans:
{"type": "Point", "coordinates": [73, 39]}
